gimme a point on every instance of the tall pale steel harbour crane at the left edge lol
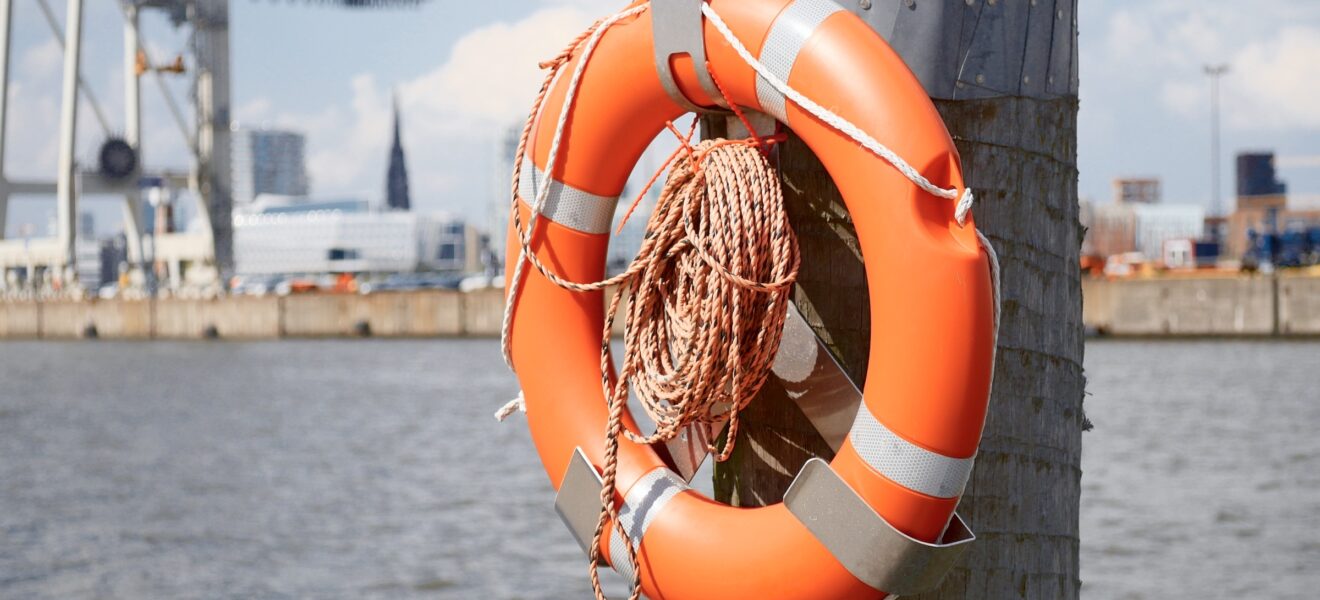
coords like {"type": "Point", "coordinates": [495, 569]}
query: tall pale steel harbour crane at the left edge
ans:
{"type": "Point", "coordinates": [207, 254]}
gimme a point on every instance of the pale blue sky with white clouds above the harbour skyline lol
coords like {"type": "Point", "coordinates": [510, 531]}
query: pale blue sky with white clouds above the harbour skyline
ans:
{"type": "Point", "coordinates": [465, 73]}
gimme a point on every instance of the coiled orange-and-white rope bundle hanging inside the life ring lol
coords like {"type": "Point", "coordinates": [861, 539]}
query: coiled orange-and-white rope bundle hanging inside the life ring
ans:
{"type": "Point", "coordinates": [709, 296]}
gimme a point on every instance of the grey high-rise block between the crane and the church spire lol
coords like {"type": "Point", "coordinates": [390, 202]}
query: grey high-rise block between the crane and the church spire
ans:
{"type": "Point", "coordinates": [269, 162]}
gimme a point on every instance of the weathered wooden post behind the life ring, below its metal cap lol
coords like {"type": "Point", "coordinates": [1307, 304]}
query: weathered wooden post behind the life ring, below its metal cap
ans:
{"type": "Point", "coordinates": [1020, 154]}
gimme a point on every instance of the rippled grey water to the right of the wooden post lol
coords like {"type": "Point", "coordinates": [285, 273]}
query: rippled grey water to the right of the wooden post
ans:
{"type": "Point", "coordinates": [1202, 479]}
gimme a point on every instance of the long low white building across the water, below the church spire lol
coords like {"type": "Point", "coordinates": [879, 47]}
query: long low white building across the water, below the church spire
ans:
{"type": "Point", "coordinates": [286, 235]}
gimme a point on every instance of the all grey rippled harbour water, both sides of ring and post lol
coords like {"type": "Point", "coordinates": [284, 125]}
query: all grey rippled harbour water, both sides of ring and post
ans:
{"type": "Point", "coordinates": [369, 469]}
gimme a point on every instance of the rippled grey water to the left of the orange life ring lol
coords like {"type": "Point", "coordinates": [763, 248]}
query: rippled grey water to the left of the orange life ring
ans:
{"type": "Point", "coordinates": [271, 470]}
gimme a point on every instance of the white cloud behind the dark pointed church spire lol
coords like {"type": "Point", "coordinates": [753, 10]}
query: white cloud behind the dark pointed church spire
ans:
{"type": "Point", "coordinates": [453, 114]}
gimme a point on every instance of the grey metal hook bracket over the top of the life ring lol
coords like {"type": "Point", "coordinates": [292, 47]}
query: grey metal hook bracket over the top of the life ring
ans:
{"type": "Point", "coordinates": [676, 28]}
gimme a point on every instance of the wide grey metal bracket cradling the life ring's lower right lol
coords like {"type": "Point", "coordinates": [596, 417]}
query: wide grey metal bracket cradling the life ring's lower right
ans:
{"type": "Point", "coordinates": [865, 544]}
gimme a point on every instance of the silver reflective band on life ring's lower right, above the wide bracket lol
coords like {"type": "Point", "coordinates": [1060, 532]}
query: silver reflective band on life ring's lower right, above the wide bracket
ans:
{"type": "Point", "coordinates": [906, 464]}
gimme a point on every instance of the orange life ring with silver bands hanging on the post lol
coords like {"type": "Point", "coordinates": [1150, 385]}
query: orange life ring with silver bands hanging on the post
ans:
{"type": "Point", "coordinates": [911, 448]}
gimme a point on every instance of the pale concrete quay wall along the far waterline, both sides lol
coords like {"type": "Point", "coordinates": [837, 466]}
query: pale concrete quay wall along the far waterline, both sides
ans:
{"type": "Point", "coordinates": [1284, 305]}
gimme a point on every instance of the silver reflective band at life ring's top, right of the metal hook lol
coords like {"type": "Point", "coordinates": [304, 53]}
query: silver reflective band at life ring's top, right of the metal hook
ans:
{"type": "Point", "coordinates": [787, 36]}
